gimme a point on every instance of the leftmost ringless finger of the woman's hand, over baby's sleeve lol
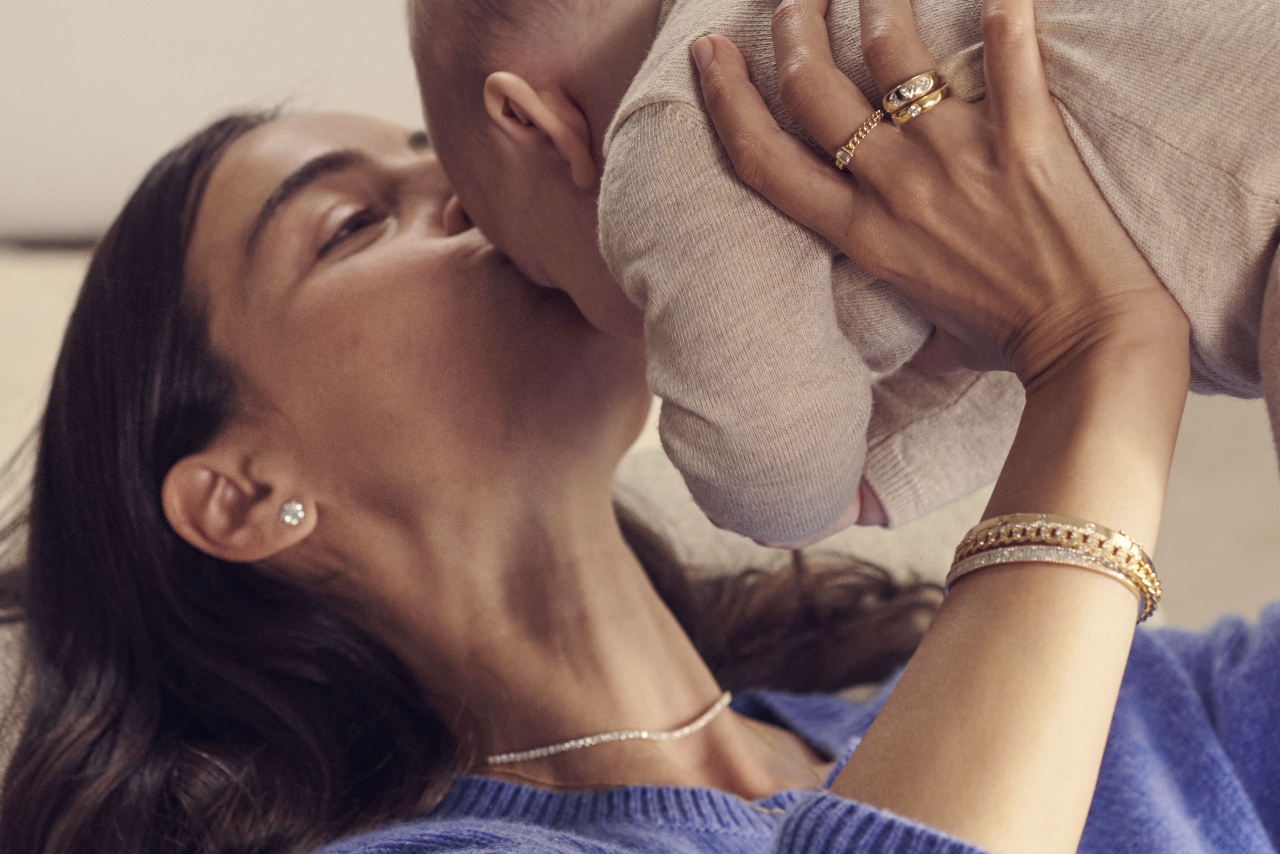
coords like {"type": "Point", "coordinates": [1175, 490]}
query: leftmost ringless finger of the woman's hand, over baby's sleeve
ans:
{"type": "Point", "coordinates": [766, 158]}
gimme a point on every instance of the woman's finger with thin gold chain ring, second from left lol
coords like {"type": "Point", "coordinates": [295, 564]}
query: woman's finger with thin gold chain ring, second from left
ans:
{"type": "Point", "coordinates": [812, 89]}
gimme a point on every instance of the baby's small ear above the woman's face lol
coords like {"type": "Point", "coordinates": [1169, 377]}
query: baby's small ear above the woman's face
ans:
{"type": "Point", "coordinates": [528, 117]}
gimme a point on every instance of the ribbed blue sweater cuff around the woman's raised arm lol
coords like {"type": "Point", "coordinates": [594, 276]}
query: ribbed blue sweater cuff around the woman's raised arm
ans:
{"type": "Point", "coordinates": [826, 824]}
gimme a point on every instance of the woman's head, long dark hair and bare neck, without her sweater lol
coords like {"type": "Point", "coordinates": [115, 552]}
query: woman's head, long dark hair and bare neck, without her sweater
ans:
{"type": "Point", "coordinates": [220, 683]}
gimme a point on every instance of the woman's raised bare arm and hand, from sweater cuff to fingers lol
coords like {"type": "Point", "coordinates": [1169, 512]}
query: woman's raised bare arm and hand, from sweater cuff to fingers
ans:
{"type": "Point", "coordinates": [986, 218]}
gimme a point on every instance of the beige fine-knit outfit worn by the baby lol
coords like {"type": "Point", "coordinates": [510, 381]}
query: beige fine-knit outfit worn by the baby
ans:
{"type": "Point", "coordinates": [765, 342]}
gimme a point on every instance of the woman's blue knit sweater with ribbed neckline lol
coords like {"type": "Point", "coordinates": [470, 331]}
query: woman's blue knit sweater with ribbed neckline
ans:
{"type": "Point", "coordinates": [1192, 765]}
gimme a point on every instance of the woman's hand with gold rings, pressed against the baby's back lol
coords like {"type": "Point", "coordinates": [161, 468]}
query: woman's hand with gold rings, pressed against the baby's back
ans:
{"type": "Point", "coordinates": [984, 216]}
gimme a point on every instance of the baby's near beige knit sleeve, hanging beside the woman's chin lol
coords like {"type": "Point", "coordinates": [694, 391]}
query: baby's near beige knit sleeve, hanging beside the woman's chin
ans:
{"type": "Point", "coordinates": [766, 404]}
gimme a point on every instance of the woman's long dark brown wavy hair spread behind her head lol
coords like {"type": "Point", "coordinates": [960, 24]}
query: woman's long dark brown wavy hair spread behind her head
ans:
{"type": "Point", "coordinates": [175, 702]}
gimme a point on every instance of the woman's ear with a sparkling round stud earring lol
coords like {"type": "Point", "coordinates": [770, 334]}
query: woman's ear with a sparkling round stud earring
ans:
{"type": "Point", "coordinates": [226, 503]}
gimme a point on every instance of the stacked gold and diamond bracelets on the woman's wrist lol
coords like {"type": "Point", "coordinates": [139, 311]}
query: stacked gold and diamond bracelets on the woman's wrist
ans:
{"type": "Point", "coordinates": [1044, 538]}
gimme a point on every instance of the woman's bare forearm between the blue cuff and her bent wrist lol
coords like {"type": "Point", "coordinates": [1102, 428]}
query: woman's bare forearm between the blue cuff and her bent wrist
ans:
{"type": "Point", "coordinates": [996, 730]}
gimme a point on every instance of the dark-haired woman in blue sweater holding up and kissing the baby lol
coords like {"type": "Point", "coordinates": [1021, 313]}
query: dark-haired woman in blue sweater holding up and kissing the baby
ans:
{"type": "Point", "coordinates": [322, 520]}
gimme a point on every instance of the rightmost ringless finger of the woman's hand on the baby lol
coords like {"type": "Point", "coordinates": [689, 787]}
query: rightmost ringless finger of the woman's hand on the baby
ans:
{"type": "Point", "coordinates": [1016, 74]}
